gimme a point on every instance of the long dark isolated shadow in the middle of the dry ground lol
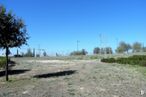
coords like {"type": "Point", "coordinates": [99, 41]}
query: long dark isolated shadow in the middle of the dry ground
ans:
{"type": "Point", "coordinates": [56, 74]}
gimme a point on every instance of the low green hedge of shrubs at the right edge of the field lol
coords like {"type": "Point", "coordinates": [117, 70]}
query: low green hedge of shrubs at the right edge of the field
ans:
{"type": "Point", "coordinates": [132, 60]}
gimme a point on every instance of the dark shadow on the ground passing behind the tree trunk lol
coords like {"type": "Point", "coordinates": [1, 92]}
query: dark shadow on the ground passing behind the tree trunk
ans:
{"type": "Point", "coordinates": [14, 72]}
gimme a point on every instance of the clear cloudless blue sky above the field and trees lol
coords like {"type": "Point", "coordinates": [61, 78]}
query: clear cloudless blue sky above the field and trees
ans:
{"type": "Point", "coordinates": [56, 25]}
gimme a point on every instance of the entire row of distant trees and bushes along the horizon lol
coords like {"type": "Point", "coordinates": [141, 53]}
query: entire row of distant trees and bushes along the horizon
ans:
{"type": "Point", "coordinates": [123, 47]}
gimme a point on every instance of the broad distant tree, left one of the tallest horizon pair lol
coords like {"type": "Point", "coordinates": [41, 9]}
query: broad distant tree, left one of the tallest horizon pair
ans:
{"type": "Point", "coordinates": [123, 47]}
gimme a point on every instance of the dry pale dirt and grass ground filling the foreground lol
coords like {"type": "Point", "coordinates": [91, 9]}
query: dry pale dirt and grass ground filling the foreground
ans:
{"type": "Point", "coordinates": [72, 78]}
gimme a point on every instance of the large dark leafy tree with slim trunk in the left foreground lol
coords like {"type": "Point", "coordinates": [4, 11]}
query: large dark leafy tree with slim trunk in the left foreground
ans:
{"type": "Point", "coordinates": [12, 33]}
